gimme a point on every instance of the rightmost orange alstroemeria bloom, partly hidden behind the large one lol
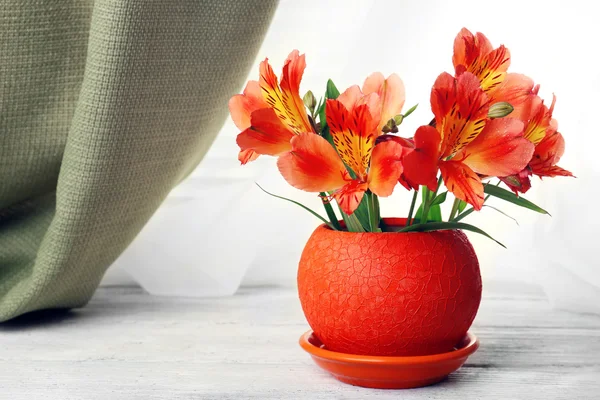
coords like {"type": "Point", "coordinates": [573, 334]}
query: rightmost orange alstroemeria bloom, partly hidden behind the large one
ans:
{"type": "Point", "coordinates": [541, 129]}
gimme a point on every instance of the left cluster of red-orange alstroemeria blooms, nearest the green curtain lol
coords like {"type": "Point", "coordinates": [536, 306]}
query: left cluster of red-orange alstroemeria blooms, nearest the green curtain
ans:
{"type": "Point", "coordinates": [275, 122]}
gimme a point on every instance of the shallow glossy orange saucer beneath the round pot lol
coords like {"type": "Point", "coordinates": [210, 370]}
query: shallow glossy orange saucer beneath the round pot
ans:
{"type": "Point", "coordinates": [389, 372]}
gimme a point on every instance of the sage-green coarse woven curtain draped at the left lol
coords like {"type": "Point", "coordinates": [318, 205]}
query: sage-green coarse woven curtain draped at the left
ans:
{"type": "Point", "coordinates": [104, 106]}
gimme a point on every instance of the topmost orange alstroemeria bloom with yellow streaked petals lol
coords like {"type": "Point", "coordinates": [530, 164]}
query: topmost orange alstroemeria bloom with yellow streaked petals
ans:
{"type": "Point", "coordinates": [474, 53]}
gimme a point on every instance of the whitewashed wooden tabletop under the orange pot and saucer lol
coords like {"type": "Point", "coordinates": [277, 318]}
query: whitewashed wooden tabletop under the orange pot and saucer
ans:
{"type": "Point", "coordinates": [128, 345]}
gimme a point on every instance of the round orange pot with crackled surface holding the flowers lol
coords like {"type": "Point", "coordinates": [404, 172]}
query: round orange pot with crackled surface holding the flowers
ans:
{"type": "Point", "coordinates": [389, 294]}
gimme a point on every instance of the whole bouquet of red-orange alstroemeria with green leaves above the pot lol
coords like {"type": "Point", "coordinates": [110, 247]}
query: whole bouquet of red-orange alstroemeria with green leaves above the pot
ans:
{"type": "Point", "coordinates": [487, 124]}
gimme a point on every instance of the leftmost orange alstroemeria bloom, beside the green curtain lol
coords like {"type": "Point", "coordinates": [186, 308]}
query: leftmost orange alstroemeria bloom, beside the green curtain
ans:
{"type": "Point", "coordinates": [270, 113]}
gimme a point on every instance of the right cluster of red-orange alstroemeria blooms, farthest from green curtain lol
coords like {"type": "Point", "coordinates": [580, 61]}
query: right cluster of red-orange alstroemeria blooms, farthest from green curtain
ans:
{"type": "Point", "coordinates": [466, 145]}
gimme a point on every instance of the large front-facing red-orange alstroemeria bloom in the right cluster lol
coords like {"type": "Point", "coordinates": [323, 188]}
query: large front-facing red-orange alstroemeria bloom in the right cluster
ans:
{"type": "Point", "coordinates": [465, 144]}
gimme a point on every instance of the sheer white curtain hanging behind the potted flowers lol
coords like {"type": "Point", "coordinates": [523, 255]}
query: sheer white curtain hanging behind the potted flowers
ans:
{"type": "Point", "coordinates": [233, 233]}
